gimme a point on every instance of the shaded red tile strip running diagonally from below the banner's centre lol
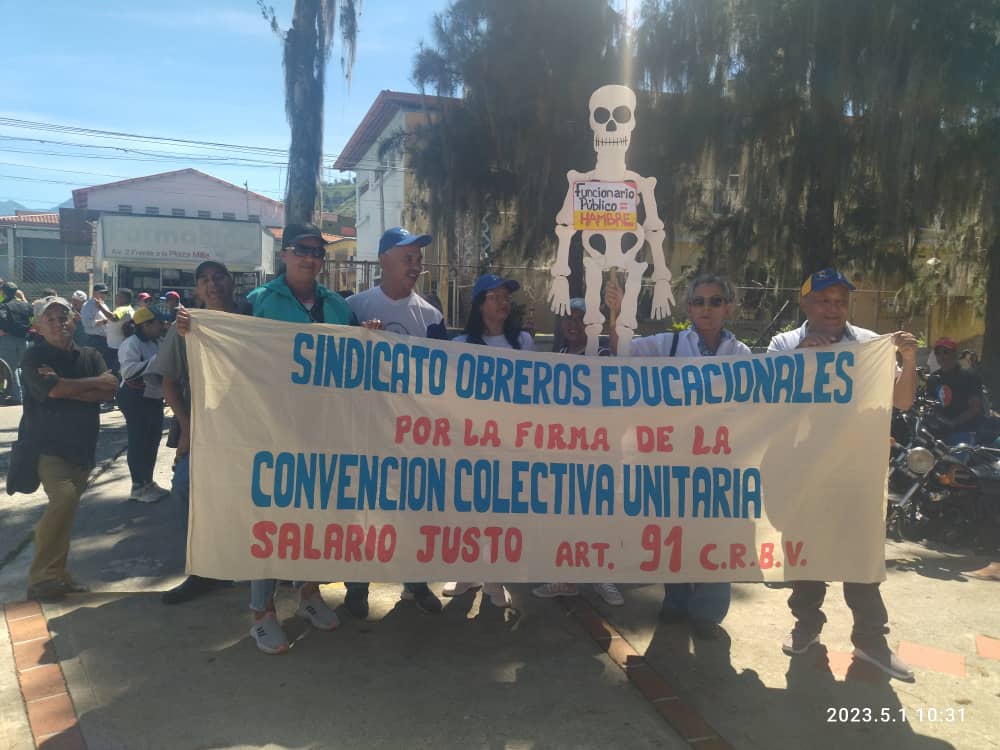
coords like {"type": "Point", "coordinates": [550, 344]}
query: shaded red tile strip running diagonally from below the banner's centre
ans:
{"type": "Point", "coordinates": [678, 713]}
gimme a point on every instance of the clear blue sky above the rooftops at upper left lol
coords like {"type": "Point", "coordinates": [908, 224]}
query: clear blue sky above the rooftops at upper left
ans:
{"type": "Point", "coordinates": [206, 70]}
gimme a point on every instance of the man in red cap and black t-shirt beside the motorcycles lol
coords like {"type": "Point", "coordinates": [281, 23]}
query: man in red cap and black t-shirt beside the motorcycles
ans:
{"type": "Point", "coordinates": [960, 392]}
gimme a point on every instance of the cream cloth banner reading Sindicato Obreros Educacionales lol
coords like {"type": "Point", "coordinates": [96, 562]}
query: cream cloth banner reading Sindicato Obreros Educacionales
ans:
{"type": "Point", "coordinates": [337, 453]}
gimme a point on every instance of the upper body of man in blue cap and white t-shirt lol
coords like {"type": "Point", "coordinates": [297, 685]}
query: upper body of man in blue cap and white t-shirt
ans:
{"type": "Point", "coordinates": [393, 302]}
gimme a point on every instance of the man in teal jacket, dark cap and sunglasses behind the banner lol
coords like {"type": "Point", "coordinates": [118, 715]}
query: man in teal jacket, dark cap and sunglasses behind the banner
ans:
{"type": "Point", "coordinates": [295, 296]}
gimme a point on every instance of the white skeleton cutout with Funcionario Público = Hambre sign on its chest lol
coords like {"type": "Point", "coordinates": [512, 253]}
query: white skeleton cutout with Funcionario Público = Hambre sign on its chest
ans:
{"type": "Point", "coordinates": [617, 241]}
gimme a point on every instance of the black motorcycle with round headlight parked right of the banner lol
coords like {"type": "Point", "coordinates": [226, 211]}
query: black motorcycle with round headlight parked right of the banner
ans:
{"type": "Point", "coordinates": [943, 493]}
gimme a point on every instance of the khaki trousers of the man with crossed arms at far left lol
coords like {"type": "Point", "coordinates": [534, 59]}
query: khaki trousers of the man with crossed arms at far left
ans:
{"type": "Point", "coordinates": [64, 483]}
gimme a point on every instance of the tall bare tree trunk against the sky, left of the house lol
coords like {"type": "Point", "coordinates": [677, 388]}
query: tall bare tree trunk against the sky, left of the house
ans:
{"type": "Point", "coordinates": [305, 63]}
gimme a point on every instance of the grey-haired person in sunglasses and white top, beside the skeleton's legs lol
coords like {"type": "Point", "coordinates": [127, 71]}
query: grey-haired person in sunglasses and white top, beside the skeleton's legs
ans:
{"type": "Point", "coordinates": [710, 300]}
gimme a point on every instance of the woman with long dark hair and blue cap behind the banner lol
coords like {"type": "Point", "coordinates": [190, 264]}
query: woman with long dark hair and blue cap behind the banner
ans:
{"type": "Point", "coordinates": [489, 324]}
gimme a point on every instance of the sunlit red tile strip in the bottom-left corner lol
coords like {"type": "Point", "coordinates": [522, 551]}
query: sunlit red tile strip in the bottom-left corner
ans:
{"type": "Point", "coordinates": [51, 713]}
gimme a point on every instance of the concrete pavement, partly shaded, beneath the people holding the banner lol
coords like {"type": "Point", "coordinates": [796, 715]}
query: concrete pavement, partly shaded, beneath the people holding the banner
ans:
{"type": "Point", "coordinates": [142, 675]}
